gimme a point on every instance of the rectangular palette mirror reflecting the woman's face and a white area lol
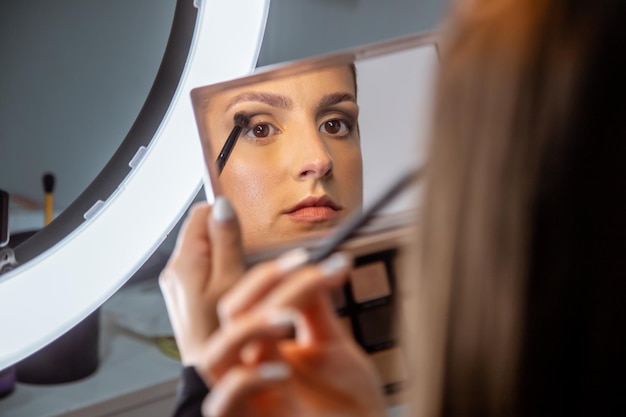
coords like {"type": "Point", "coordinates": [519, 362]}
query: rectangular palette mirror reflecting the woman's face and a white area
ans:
{"type": "Point", "coordinates": [299, 147]}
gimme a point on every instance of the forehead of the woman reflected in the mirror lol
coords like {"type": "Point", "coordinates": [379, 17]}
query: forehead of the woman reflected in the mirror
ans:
{"type": "Point", "coordinates": [308, 87]}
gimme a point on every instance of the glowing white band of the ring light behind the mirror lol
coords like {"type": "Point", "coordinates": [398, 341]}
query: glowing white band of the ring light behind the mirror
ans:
{"type": "Point", "coordinates": [54, 291]}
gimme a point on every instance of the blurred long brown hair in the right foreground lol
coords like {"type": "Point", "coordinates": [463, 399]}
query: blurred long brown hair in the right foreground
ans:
{"type": "Point", "coordinates": [521, 267]}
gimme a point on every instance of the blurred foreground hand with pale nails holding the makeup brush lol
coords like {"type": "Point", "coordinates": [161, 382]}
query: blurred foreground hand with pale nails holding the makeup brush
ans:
{"type": "Point", "coordinates": [255, 370]}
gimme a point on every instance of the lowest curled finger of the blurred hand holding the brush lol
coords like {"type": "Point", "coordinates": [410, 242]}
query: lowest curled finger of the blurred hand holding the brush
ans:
{"type": "Point", "coordinates": [229, 398]}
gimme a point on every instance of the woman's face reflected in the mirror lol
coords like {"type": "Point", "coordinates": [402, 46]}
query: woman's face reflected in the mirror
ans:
{"type": "Point", "coordinates": [297, 167]}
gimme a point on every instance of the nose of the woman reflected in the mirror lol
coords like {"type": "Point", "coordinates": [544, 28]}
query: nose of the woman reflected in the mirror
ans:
{"type": "Point", "coordinates": [312, 158]}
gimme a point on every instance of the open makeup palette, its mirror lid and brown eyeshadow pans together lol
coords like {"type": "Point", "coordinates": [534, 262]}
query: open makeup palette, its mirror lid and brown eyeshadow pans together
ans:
{"type": "Point", "coordinates": [305, 150]}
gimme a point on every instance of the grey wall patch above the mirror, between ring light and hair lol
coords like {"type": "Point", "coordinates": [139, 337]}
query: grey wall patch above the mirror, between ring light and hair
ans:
{"type": "Point", "coordinates": [301, 28]}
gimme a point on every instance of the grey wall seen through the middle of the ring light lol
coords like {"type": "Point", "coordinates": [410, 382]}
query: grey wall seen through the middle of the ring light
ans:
{"type": "Point", "coordinates": [73, 77]}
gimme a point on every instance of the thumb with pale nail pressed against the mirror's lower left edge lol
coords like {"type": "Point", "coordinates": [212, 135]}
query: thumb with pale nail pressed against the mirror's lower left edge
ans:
{"type": "Point", "coordinates": [228, 264]}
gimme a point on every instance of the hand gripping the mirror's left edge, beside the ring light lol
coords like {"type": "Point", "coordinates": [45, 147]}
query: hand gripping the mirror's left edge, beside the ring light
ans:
{"type": "Point", "coordinates": [206, 261]}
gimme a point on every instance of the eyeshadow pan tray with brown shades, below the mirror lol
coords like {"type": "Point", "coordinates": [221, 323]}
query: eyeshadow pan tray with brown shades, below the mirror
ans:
{"type": "Point", "coordinates": [371, 304]}
